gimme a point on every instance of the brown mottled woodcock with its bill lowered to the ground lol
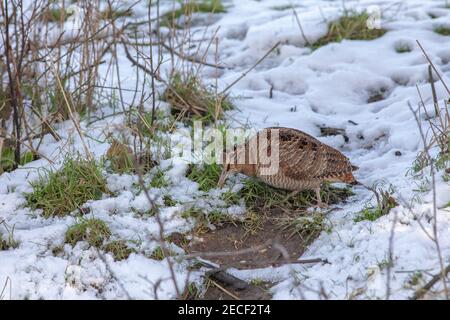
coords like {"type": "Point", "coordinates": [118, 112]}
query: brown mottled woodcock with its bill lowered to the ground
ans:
{"type": "Point", "coordinates": [303, 162]}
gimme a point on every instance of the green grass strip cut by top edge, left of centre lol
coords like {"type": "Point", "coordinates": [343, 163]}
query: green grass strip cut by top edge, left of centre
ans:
{"type": "Point", "coordinates": [187, 8]}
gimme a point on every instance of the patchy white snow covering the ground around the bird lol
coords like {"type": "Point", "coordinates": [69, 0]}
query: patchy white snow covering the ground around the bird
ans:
{"type": "Point", "coordinates": [326, 87]}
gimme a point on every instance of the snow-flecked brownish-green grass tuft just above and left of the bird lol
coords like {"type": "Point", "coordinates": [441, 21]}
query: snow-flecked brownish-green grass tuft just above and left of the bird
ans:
{"type": "Point", "coordinates": [192, 100]}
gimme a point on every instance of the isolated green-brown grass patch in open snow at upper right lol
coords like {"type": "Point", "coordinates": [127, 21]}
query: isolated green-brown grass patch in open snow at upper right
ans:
{"type": "Point", "coordinates": [351, 26]}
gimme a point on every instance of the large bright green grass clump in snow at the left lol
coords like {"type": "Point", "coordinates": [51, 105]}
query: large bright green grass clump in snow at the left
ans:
{"type": "Point", "coordinates": [61, 192]}
